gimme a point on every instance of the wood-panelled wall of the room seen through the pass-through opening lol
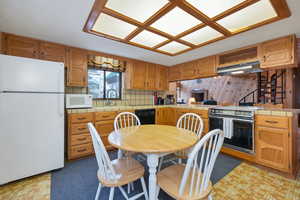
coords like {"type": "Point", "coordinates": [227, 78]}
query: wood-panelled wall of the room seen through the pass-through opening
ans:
{"type": "Point", "coordinates": [224, 89]}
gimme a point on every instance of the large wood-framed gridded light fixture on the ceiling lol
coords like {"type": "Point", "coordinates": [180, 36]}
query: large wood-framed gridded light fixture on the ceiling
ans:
{"type": "Point", "coordinates": [173, 27]}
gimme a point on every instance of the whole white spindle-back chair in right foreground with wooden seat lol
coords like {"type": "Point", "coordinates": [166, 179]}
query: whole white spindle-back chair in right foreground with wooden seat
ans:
{"type": "Point", "coordinates": [192, 181]}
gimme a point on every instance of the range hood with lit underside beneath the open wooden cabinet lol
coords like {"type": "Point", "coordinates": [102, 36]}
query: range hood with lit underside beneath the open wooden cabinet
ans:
{"type": "Point", "coordinates": [243, 68]}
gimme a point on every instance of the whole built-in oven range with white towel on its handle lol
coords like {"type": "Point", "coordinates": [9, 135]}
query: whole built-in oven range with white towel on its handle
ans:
{"type": "Point", "coordinates": [238, 125]}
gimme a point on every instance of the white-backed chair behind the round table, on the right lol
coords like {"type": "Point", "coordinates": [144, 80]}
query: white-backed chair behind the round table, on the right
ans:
{"type": "Point", "coordinates": [191, 122]}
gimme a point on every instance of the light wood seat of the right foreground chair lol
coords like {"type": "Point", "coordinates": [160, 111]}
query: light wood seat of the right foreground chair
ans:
{"type": "Point", "coordinates": [169, 180]}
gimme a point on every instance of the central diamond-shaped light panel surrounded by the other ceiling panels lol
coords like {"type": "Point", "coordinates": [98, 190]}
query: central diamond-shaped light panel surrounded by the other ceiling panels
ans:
{"type": "Point", "coordinates": [176, 21]}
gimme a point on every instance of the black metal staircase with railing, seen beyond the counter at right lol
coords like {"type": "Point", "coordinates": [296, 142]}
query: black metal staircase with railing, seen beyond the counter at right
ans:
{"type": "Point", "coordinates": [270, 89]}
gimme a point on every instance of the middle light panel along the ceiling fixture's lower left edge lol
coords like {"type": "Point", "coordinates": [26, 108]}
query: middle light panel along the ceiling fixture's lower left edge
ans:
{"type": "Point", "coordinates": [148, 39]}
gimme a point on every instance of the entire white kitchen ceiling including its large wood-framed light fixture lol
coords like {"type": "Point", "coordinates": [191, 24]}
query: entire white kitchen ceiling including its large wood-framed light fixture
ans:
{"type": "Point", "coordinates": [166, 40]}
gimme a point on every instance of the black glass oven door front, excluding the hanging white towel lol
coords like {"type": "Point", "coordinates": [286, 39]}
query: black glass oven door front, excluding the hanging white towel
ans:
{"type": "Point", "coordinates": [242, 133]}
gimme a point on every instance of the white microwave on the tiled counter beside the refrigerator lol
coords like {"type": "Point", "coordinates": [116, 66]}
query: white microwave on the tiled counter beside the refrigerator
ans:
{"type": "Point", "coordinates": [79, 101]}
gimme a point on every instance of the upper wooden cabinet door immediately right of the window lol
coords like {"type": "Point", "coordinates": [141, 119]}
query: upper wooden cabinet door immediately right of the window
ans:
{"type": "Point", "coordinates": [138, 77]}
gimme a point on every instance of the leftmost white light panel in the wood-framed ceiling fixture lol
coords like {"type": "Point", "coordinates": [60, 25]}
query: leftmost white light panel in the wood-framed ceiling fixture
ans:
{"type": "Point", "coordinates": [112, 26]}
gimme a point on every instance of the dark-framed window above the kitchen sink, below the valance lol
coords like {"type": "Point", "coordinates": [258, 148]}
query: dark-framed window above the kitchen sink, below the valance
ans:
{"type": "Point", "coordinates": [104, 84]}
